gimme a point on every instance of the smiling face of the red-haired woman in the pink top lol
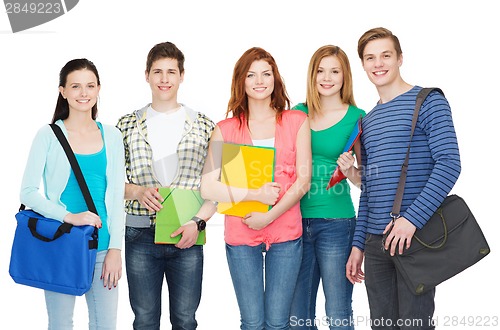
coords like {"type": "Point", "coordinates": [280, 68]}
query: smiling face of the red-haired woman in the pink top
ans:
{"type": "Point", "coordinates": [259, 82]}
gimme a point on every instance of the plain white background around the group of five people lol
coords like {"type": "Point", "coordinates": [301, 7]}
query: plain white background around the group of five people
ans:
{"type": "Point", "coordinates": [449, 44]}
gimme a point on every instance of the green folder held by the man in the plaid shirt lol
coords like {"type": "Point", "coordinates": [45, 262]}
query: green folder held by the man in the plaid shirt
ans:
{"type": "Point", "coordinates": [179, 206]}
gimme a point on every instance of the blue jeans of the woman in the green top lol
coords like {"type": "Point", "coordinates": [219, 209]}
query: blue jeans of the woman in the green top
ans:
{"type": "Point", "coordinates": [327, 245]}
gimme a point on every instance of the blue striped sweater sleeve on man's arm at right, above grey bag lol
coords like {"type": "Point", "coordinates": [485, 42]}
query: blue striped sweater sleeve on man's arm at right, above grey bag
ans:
{"type": "Point", "coordinates": [436, 121]}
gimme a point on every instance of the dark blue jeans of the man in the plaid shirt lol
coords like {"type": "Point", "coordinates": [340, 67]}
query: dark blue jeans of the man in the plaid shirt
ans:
{"type": "Point", "coordinates": [147, 264]}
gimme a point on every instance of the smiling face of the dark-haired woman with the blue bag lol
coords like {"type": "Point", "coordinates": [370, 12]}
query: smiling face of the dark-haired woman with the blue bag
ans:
{"type": "Point", "coordinates": [81, 90]}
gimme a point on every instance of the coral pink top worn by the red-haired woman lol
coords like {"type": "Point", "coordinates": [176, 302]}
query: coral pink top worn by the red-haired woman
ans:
{"type": "Point", "coordinates": [288, 226]}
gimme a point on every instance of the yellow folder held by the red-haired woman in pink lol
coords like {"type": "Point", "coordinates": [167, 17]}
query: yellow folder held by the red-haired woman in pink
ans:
{"type": "Point", "coordinates": [246, 166]}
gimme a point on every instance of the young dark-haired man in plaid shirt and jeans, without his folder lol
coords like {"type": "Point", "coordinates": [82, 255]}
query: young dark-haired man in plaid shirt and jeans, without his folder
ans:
{"type": "Point", "coordinates": [165, 145]}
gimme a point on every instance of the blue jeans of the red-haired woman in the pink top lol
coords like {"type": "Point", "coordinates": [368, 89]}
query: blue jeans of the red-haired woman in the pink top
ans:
{"type": "Point", "coordinates": [264, 282]}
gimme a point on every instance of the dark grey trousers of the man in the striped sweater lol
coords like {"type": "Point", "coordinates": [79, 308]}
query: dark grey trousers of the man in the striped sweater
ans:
{"type": "Point", "coordinates": [392, 304]}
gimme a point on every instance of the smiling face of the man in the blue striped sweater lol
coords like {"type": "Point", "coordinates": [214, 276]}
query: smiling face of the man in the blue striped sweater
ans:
{"type": "Point", "coordinates": [381, 62]}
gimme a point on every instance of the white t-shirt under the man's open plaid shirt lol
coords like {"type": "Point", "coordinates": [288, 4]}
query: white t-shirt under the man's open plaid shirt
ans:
{"type": "Point", "coordinates": [164, 133]}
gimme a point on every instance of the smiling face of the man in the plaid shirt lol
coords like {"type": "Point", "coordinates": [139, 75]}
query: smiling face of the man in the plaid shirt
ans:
{"type": "Point", "coordinates": [164, 78]}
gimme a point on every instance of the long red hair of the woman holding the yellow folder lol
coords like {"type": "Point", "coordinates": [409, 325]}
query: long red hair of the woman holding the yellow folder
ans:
{"type": "Point", "coordinates": [238, 103]}
